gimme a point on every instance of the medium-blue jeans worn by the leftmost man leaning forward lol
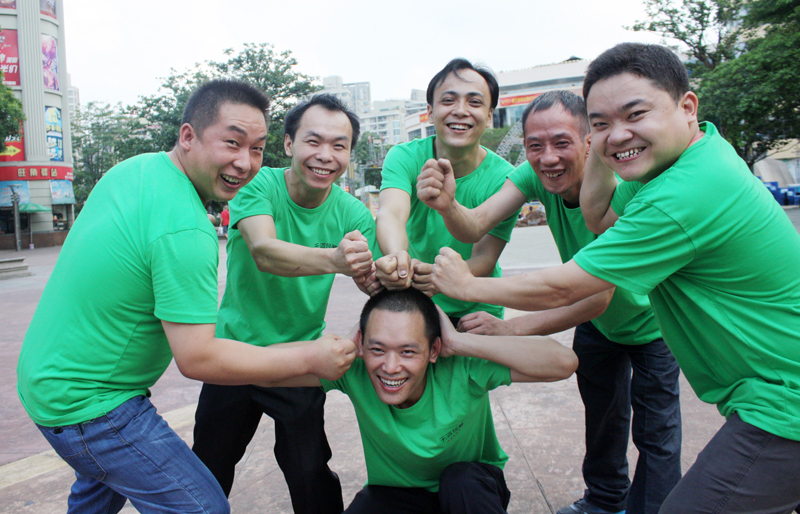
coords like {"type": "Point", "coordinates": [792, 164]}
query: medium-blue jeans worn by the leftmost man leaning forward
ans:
{"type": "Point", "coordinates": [132, 453]}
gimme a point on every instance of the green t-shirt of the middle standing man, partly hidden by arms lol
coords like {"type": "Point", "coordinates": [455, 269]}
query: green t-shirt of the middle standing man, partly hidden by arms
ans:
{"type": "Point", "coordinates": [426, 230]}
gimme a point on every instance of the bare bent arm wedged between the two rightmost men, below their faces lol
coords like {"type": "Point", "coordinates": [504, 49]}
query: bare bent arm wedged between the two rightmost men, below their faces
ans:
{"type": "Point", "coordinates": [597, 191]}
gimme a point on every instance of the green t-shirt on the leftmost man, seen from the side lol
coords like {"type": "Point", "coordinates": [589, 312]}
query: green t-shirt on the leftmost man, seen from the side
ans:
{"type": "Point", "coordinates": [141, 251]}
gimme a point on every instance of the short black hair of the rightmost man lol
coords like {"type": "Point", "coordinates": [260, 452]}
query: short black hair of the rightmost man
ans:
{"type": "Point", "coordinates": [657, 63]}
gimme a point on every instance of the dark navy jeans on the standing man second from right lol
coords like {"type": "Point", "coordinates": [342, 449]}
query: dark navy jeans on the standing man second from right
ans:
{"type": "Point", "coordinates": [613, 379]}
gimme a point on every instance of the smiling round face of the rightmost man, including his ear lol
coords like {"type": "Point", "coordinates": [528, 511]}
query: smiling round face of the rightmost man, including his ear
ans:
{"type": "Point", "coordinates": [638, 129]}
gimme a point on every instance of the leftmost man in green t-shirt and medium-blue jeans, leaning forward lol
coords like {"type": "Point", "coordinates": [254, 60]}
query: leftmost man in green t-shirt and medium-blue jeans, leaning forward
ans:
{"type": "Point", "coordinates": [136, 284]}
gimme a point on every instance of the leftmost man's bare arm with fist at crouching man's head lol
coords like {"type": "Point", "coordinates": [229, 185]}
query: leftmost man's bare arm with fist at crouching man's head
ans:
{"type": "Point", "coordinates": [202, 356]}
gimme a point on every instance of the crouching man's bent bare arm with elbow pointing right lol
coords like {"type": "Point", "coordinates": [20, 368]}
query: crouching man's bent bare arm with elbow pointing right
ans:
{"type": "Point", "coordinates": [531, 359]}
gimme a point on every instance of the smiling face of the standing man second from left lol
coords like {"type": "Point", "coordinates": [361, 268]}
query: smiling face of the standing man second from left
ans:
{"type": "Point", "coordinates": [320, 152]}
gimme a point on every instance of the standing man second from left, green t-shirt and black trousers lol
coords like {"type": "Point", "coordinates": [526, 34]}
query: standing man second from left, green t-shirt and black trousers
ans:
{"type": "Point", "coordinates": [291, 231]}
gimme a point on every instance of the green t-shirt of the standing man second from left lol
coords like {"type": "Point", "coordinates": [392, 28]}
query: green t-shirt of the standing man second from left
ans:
{"type": "Point", "coordinates": [261, 308]}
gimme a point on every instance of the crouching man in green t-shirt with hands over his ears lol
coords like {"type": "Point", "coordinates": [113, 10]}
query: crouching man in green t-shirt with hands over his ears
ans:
{"type": "Point", "coordinates": [420, 393]}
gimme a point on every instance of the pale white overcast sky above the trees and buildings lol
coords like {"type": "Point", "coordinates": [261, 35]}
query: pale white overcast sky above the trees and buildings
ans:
{"type": "Point", "coordinates": [118, 51]}
